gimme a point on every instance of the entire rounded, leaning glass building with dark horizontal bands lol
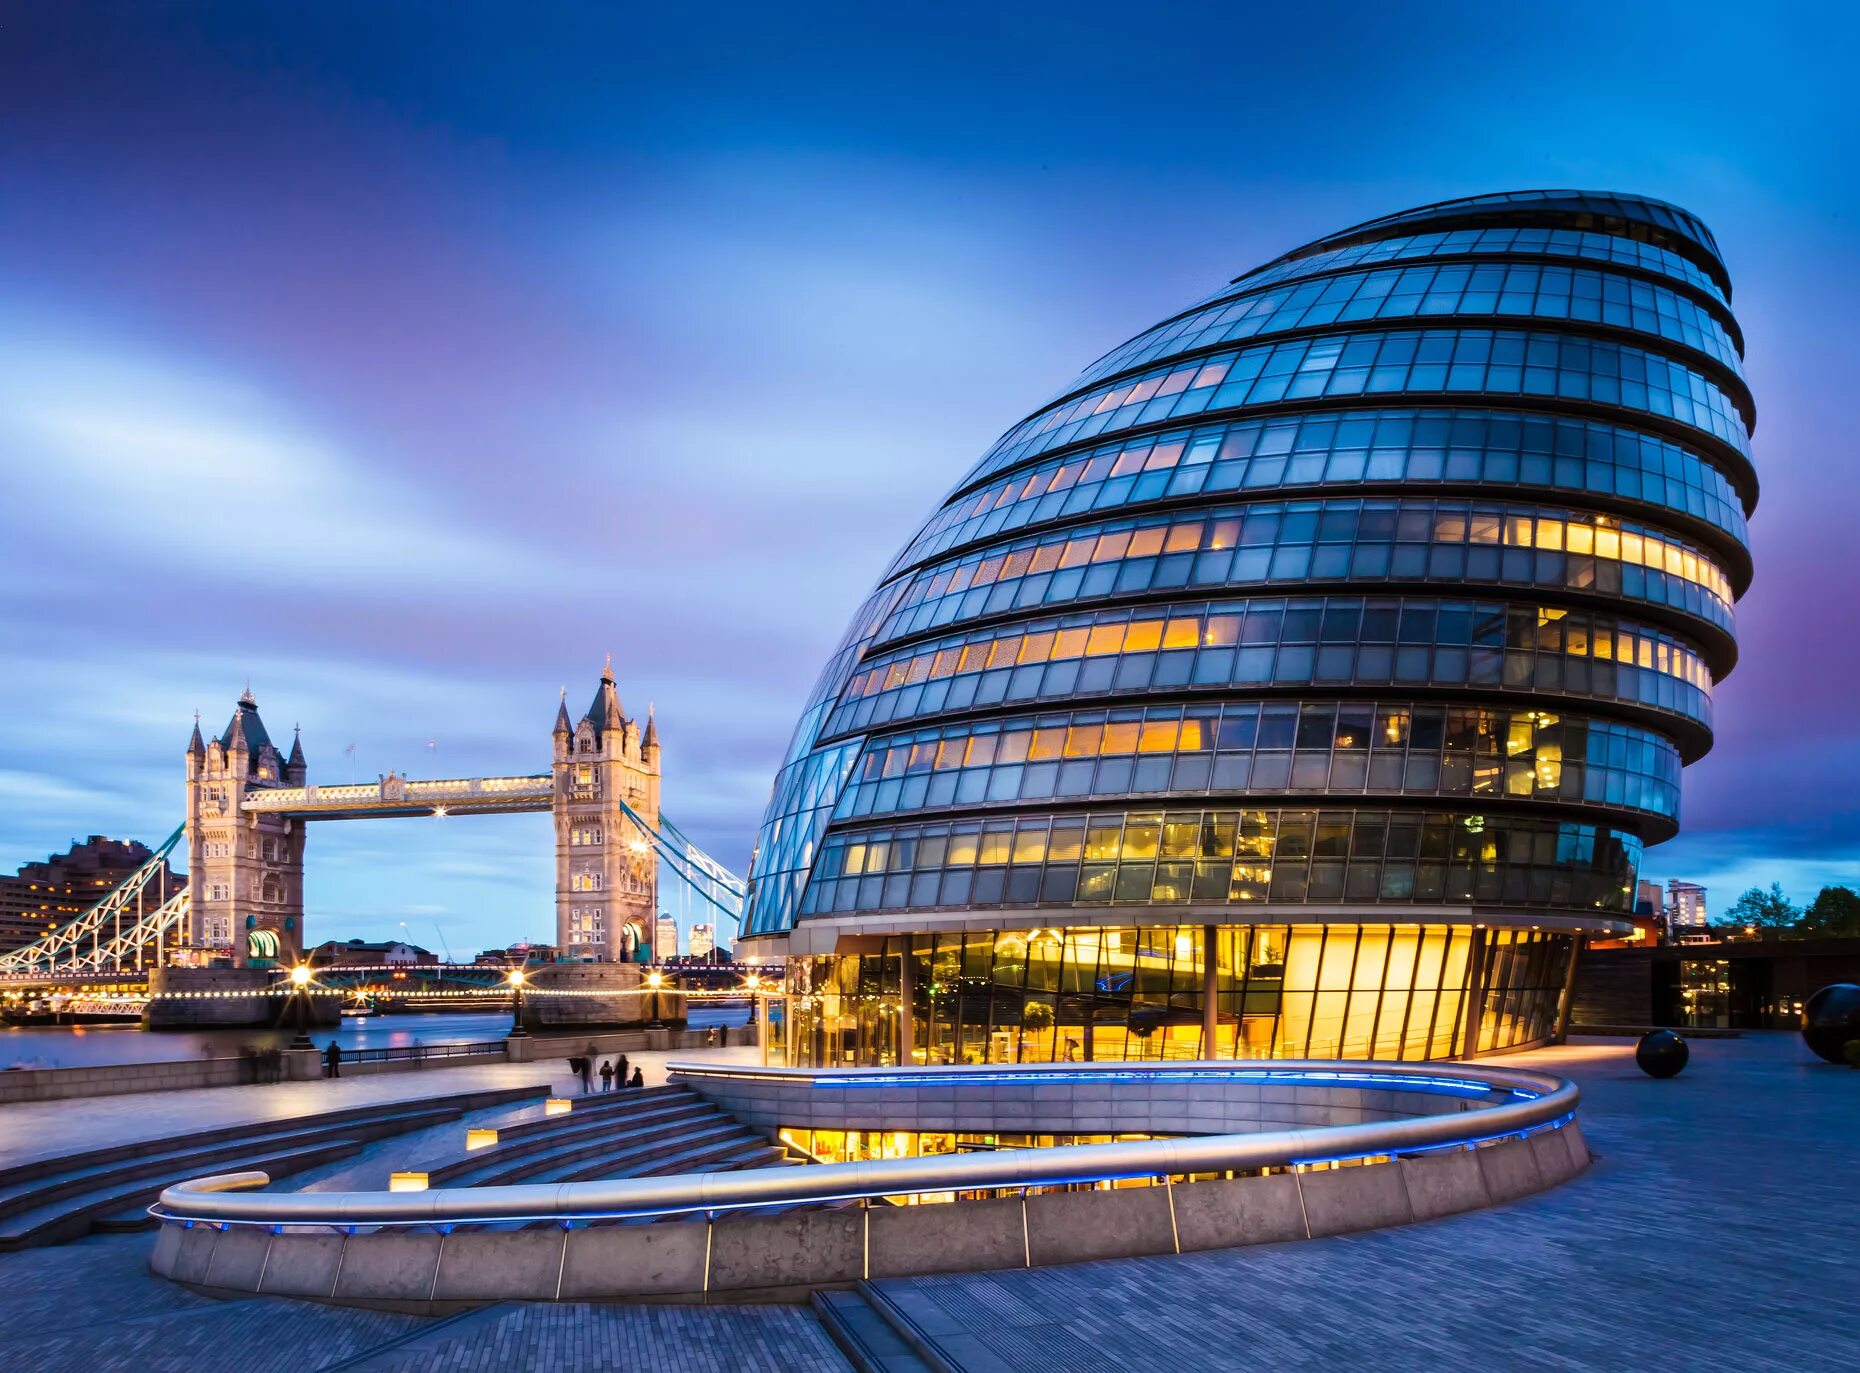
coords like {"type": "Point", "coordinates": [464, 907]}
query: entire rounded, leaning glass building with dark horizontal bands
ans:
{"type": "Point", "coordinates": [1303, 680]}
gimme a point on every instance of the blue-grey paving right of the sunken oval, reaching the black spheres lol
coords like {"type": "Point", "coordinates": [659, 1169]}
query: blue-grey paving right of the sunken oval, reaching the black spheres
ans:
{"type": "Point", "coordinates": [1716, 1231]}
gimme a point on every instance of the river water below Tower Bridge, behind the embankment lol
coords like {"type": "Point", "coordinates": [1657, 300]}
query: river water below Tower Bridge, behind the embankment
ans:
{"type": "Point", "coordinates": [94, 1046]}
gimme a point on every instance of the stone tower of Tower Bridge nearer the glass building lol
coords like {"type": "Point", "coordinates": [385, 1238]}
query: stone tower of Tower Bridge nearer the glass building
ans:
{"type": "Point", "coordinates": [607, 873]}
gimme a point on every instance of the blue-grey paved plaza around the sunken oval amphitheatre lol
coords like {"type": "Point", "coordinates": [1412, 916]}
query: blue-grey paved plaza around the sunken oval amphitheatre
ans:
{"type": "Point", "coordinates": [1714, 1233]}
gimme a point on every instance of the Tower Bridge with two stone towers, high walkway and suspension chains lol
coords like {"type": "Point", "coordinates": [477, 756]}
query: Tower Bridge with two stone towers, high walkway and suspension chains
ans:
{"type": "Point", "coordinates": [250, 806]}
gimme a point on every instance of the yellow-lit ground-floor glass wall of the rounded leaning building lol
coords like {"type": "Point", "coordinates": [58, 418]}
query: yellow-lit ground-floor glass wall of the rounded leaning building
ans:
{"type": "Point", "coordinates": [1139, 993]}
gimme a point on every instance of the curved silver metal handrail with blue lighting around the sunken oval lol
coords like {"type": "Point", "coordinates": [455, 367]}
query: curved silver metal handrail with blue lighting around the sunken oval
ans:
{"type": "Point", "coordinates": [1534, 1102]}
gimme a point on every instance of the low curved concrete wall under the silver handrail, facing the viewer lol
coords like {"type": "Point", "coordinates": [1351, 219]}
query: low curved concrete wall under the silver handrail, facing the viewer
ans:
{"type": "Point", "coordinates": [790, 1253]}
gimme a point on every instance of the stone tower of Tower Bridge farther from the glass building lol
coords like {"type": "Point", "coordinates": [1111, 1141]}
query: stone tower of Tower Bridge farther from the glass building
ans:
{"type": "Point", "coordinates": [245, 872]}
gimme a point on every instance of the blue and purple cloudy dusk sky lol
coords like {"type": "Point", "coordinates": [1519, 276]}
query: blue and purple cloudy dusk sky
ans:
{"type": "Point", "coordinates": [406, 360]}
